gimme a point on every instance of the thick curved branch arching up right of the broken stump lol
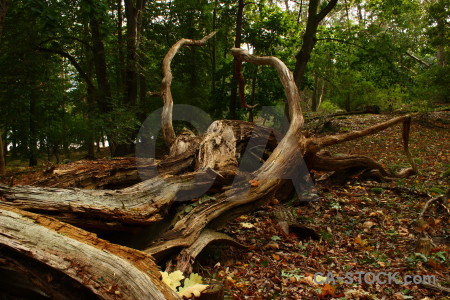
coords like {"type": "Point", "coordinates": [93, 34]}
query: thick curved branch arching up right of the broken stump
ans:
{"type": "Point", "coordinates": [281, 163]}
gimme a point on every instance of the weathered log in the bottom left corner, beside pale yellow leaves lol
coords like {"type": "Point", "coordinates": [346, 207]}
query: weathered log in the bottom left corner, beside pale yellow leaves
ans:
{"type": "Point", "coordinates": [106, 270]}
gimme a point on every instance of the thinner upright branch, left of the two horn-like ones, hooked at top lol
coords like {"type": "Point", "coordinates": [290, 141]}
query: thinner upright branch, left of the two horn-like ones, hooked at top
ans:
{"type": "Point", "coordinates": [166, 94]}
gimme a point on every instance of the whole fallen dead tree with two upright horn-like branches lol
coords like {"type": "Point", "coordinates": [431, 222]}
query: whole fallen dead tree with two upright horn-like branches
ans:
{"type": "Point", "coordinates": [208, 164]}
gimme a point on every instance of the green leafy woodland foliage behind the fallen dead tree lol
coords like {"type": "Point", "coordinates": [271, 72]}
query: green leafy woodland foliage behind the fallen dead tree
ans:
{"type": "Point", "coordinates": [394, 55]}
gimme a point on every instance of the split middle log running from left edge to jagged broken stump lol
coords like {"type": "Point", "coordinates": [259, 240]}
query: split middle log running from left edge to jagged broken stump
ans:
{"type": "Point", "coordinates": [149, 201]}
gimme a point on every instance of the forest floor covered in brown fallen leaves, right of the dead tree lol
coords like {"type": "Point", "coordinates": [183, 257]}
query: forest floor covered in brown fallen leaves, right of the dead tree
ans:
{"type": "Point", "coordinates": [361, 226]}
